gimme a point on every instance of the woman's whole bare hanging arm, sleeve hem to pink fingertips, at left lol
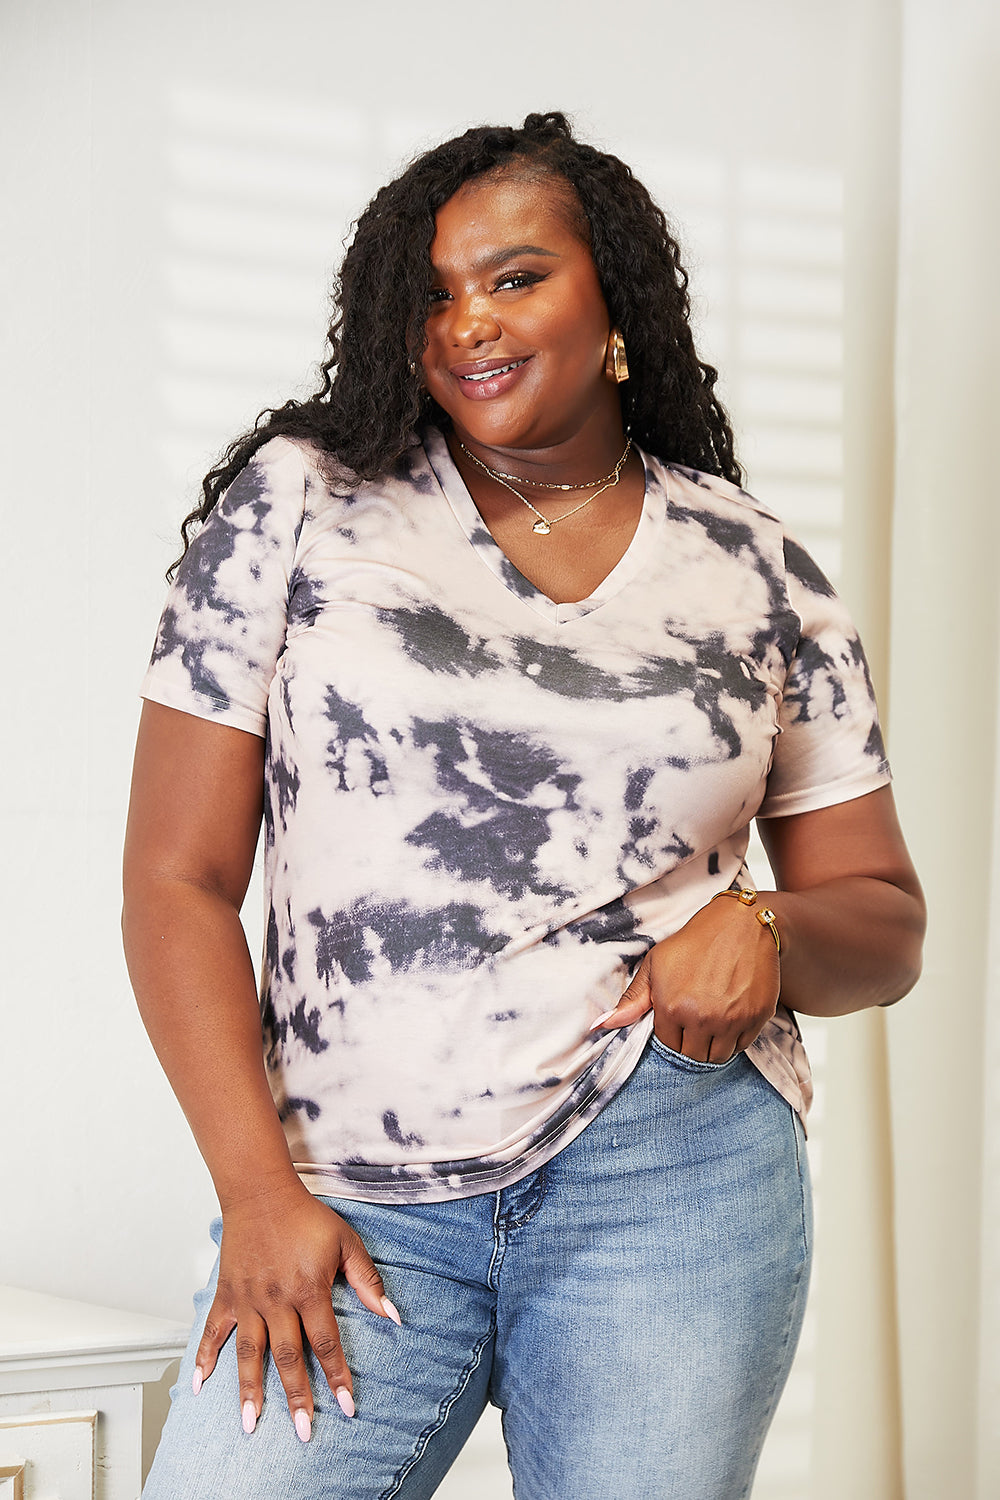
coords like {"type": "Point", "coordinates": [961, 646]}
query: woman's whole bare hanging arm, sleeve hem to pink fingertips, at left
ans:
{"type": "Point", "coordinates": [197, 797]}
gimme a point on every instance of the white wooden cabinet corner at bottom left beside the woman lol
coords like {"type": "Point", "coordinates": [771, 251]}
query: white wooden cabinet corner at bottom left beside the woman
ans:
{"type": "Point", "coordinates": [71, 1396]}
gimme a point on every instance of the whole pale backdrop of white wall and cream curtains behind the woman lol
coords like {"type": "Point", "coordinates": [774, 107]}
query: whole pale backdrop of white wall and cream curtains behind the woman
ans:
{"type": "Point", "coordinates": [178, 187]}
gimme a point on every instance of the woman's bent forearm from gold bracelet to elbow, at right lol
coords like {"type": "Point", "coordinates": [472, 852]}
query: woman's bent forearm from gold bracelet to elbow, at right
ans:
{"type": "Point", "coordinates": [846, 944]}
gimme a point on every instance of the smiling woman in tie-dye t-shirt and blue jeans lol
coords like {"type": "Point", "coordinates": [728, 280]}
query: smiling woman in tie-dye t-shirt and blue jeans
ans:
{"type": "Point", "coordinates": [506, 658]}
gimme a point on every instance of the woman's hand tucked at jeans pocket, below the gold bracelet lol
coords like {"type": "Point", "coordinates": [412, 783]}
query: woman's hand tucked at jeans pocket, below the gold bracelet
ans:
{"type": "Point", "coordinates": [713, 985]}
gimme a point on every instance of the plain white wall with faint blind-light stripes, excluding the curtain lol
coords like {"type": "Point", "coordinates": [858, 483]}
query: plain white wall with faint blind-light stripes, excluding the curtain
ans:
{"type": "Point", "coordinates": [184, 179]}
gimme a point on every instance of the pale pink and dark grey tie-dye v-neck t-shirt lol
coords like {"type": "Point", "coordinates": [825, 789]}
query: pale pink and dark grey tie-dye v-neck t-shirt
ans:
{"type": "Point", "coordinates": [484, 808]}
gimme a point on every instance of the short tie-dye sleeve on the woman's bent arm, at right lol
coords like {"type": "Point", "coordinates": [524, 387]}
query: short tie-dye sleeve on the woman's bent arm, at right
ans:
{"type": "Point", "coordinates": [830, 746]}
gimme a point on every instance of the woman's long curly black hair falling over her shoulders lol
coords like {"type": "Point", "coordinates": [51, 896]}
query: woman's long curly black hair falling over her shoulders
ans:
{"type": "Point", "coordinates": [371, 398]}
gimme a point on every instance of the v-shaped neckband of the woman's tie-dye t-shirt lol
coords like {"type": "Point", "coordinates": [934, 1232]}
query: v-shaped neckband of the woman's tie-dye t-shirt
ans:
{"type": "Point", "coordinates": [490, 551]}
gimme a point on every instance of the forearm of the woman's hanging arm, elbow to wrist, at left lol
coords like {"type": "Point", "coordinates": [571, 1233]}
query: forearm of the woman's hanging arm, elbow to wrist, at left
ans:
{"type": "Point", "coordinates": [196, 988]}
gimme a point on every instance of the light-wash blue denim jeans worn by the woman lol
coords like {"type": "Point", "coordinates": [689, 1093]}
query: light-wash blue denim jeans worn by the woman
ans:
{"type": "Point", "coordinates": [632, 1307]}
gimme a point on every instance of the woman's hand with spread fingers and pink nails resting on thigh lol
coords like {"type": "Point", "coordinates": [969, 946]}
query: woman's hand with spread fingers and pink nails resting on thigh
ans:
{"type": "Point", "coordinates": [281, 1253]}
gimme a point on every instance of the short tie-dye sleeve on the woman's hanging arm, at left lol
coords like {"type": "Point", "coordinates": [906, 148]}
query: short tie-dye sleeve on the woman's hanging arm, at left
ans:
{"type": "Point", "coordinates": [224, 625]}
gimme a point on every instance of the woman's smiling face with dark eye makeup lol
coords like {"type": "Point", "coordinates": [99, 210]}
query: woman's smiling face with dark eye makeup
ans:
{"type": "Point", "coordinates": [518, 329]}
